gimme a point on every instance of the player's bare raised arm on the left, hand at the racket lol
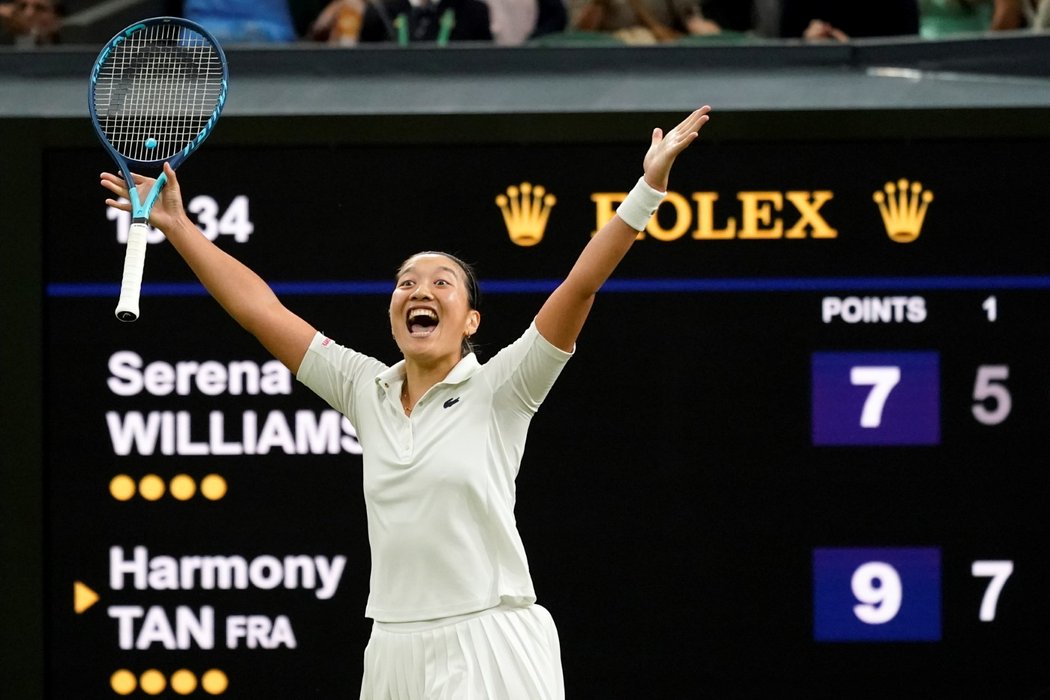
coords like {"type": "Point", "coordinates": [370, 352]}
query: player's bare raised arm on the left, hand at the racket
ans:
{"type": "Point", "coordinates": [237, 288]}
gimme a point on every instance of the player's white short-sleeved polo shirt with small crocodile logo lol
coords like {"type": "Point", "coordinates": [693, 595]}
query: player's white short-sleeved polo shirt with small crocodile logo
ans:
{"type": "Point", "coordinates": [439, 486]}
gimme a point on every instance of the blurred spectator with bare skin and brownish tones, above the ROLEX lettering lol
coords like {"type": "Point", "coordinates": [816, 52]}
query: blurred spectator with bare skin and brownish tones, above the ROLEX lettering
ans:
{"type": "Point", "coordinates": [644, 22]}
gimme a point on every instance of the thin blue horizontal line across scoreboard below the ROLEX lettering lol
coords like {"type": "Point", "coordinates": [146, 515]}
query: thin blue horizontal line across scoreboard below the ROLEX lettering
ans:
{"type": "Point", "coordinates": [636, 286]}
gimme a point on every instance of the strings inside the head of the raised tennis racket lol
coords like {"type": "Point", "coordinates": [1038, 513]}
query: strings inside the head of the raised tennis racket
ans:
{"type": "Point", "coordinates": [158, 91]}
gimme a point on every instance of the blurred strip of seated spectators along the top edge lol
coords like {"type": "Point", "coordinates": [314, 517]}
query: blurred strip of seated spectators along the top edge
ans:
{"type": "Point", "coordinates": [29, 24]}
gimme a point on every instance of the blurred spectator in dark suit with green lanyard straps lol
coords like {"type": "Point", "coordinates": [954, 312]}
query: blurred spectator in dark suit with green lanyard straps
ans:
{"type": "Point", "coordinates": [411, 22]}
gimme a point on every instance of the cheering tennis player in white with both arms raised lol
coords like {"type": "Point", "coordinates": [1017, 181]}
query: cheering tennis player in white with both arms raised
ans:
{"type": "Point", "coordinates": [452, 599]}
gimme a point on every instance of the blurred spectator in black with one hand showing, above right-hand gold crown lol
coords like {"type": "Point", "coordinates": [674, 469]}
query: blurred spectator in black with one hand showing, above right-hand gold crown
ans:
{"type": "Point", "coordinates": [839, 20]}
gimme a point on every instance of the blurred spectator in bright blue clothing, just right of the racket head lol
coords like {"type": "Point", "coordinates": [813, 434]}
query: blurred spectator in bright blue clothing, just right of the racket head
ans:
{"type": "Point", "coordinates": [243, 22]}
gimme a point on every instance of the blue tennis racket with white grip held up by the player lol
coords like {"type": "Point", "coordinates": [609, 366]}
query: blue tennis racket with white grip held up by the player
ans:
{"type": "Point", "coordinates": [157, 91]}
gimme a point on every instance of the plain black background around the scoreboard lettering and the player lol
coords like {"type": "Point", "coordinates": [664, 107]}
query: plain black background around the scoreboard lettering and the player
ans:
{"type": "Point", "coordinates": [670, 499]}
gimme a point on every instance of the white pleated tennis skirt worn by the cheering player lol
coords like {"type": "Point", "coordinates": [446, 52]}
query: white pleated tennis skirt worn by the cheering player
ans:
{"type": "Point", "coordinates": [503, 653]}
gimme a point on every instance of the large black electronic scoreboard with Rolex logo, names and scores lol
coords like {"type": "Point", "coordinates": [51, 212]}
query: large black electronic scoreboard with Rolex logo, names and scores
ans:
{"type": "Point", "coordinates": [801, 447]}
